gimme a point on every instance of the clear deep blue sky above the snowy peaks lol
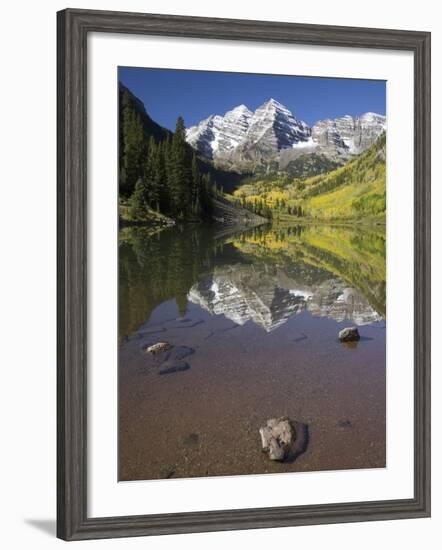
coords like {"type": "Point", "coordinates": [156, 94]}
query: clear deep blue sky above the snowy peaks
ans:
{"type": "Point", "coordinates": [194, 95]}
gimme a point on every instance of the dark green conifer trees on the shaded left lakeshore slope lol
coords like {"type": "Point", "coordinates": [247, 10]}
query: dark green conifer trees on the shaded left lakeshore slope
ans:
{"type": "Point", "coordinates": [160, 174]}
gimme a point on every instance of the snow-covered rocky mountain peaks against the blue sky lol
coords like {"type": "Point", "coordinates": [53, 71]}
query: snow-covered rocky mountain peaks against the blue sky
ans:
{"type": "Point", "coordinates": [243, 139]}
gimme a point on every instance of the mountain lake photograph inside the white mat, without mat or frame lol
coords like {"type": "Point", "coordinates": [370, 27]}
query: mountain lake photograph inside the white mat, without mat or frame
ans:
{"type": "Point", "coordinates": [251, 273]}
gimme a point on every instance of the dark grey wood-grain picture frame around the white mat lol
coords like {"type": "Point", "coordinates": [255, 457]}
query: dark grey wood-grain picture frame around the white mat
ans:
{"type": "Point", "coordinates": [74, 25]}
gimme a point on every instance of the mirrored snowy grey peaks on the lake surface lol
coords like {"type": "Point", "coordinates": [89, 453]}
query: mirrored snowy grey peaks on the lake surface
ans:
{"type": "Point", "coordinates": [270, 296]}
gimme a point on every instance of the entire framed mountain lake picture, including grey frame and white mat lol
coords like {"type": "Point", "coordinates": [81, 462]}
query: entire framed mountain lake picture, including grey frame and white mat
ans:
{"type": "Point", "coordinates": [243, 274]}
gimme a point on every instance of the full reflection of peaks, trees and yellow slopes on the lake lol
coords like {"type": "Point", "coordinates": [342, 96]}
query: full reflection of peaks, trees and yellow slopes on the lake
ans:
{"type": "Point", "coordinates": [264, 275]}
